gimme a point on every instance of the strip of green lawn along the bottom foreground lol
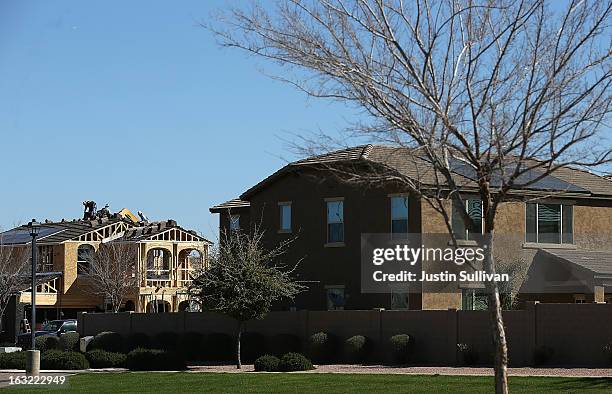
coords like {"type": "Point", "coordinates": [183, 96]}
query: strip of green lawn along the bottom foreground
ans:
{"type": "Point", "coordinates": [314, 383]}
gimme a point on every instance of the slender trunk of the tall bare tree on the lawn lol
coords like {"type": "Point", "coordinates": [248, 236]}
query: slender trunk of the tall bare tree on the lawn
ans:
{"type": "Point", "coordinates": [496, 318]}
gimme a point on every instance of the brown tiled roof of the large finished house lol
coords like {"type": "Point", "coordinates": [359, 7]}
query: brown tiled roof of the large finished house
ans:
{"type": "Point", "coordinates": [408, 163]}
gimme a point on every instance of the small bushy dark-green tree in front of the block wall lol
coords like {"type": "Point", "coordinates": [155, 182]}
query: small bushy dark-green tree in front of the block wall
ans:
{"type": "Point", "coordinates": [242, 279]}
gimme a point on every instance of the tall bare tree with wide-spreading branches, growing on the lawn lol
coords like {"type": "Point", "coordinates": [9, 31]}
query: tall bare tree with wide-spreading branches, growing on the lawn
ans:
{"type": "Point", "coordinates": [502, 93]}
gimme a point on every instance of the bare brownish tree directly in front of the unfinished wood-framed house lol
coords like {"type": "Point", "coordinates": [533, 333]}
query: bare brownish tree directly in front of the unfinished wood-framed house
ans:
{"type": "Point", "coordinates": [113, 272]}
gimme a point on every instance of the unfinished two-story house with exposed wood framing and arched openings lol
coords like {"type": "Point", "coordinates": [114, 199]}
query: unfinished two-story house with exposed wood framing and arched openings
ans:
{"type": "Point", "coordinates": [167, 256]}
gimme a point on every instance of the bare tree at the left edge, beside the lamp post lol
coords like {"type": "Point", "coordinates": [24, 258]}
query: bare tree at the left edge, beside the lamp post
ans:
{"type": "Point", "coordinates": [15, 269]}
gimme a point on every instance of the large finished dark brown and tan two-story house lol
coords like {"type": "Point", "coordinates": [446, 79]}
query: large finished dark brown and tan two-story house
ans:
{"type": "Point", "coordinates": [559, 226]}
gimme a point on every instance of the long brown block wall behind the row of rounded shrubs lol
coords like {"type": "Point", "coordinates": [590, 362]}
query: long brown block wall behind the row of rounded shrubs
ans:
{"type": "Point", "coordinates": [576, 332]}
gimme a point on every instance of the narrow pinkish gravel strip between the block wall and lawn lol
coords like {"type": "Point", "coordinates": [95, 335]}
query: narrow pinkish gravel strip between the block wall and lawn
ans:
{"type": "Point", "coordinates": [382, 369]}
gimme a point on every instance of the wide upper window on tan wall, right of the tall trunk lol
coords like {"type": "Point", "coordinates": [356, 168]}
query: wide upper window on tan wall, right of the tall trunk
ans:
{"type": "Point", "coordinates": [549, 223]}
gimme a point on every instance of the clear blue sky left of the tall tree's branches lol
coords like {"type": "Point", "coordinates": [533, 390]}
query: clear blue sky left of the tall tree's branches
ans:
{"type": "Point", "coordinates": [134, 105]}
